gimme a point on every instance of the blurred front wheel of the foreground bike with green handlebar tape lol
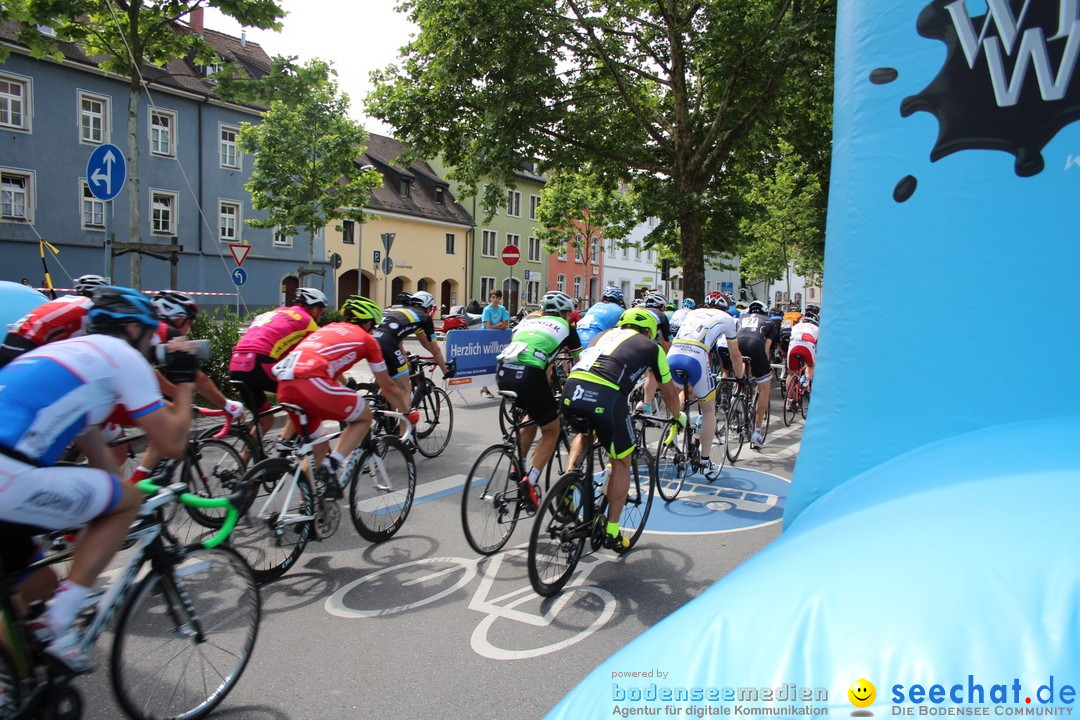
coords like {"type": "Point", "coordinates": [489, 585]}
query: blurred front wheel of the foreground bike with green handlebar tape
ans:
{"type": "Point", "coordinates": [185, 636]}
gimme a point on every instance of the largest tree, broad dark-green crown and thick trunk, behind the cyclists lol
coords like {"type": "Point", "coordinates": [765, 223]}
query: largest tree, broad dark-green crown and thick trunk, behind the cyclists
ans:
{"type": "Point", "coordinates": [661, 94]}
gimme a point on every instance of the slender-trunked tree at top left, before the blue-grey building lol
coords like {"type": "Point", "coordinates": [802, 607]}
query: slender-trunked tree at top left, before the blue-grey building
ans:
{"type": "Point", "coordinates": [127, 37]}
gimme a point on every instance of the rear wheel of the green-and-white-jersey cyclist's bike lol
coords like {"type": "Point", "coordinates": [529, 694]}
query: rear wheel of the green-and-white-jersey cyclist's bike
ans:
{"type": "Point", "coordinates": [491, 501]}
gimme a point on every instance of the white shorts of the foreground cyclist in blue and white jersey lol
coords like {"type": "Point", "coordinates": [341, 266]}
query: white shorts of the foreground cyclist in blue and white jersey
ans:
{"type": "Point", "coordinates": [56, 498]}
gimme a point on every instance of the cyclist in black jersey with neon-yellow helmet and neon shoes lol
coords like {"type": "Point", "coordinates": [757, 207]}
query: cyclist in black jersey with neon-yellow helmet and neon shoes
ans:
{"type": "Point", "coordinates": [599, 390]}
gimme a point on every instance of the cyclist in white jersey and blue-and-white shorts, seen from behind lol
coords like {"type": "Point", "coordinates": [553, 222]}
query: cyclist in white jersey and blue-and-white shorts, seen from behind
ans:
{"type": "Point", "coordinates": [692, 352]}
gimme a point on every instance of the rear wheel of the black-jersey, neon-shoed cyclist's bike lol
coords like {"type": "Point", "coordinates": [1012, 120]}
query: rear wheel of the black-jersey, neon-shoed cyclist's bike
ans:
{"type": "Point", "coordinates": [559, 534]}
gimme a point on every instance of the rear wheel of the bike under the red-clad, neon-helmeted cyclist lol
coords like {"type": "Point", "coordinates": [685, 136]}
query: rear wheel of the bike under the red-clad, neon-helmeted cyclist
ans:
{"type": "Point", "coordinates": [272, 537]}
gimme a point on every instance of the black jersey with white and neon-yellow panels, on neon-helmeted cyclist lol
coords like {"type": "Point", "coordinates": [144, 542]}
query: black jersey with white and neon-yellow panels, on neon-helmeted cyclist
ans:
{"type": "Point", "coordinates": [619, 358]}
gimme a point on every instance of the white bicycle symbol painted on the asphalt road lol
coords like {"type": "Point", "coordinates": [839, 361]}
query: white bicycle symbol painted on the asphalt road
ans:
{"type": "Point", "coordinates": [431, 572]}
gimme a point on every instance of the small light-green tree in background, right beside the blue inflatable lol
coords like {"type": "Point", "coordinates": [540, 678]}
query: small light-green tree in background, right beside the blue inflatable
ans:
{"type": "Point", "coordinates": [789, 227]}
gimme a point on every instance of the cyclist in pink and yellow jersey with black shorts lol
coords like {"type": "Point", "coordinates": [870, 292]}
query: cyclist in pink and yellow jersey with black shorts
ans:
{"type": "Point", "coordinates": [271, 337]}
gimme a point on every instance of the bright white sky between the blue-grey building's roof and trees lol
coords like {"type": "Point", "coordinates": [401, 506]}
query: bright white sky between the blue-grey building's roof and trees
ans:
{"type": "Point", "coordinates": [356, 36]}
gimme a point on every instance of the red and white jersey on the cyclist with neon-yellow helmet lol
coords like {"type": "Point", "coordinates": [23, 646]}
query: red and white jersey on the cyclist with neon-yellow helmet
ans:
{"type": "Point", "coordinates": [329, 352]}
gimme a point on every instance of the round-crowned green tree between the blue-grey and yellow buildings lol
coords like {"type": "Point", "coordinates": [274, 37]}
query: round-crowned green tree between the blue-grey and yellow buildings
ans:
{"type": "Point", "coordinates": [305, 172]}
